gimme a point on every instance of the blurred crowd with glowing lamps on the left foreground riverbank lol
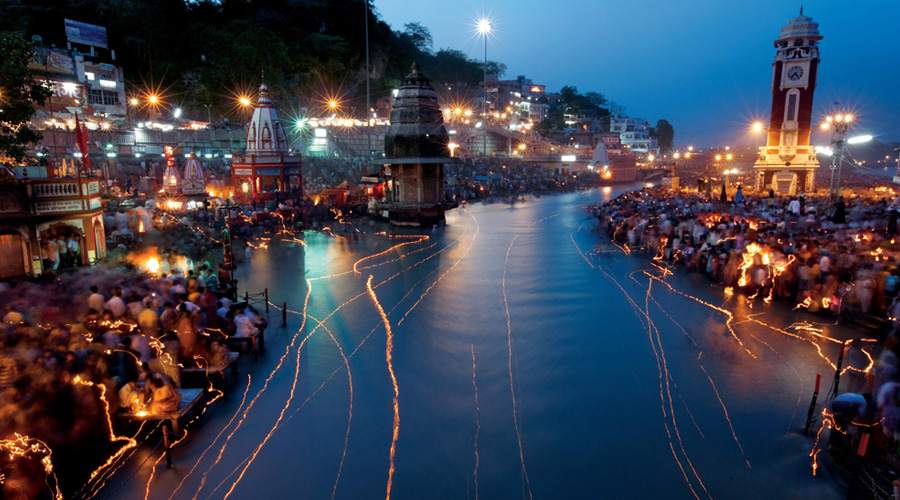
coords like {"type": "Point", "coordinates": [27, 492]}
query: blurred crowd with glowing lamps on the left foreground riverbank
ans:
{"type": "Point", "coordinates": [115, 327]}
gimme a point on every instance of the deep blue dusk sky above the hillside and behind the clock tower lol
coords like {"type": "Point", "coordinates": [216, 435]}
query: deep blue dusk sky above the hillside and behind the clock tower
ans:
{"type": "Point", "coordinates": [703, 65]}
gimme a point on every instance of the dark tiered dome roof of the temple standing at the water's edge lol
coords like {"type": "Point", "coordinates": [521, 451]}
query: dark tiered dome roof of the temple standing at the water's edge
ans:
{"type": "Point", "coordinates": [417, 123]}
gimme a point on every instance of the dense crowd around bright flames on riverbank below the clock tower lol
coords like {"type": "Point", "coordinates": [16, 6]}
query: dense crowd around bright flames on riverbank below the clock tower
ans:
{"type": "Point", "coordinates": [799, 249]}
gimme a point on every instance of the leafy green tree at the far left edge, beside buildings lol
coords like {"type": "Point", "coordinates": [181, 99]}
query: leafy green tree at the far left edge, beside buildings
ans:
{"type": "Point", "coordinates": [19, 92]}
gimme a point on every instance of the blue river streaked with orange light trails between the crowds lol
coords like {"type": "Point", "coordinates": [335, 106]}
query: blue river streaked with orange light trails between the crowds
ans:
{"type": "Point", "coordinates": [523, 356]}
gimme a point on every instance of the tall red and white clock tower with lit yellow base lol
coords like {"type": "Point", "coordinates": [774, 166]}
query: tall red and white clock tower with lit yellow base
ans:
{"type": "Point", "coordinates": [787, 163]}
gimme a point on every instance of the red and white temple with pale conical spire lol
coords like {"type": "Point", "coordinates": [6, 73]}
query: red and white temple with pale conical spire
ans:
{"type": "Point", "coordinates": [266, 169]}
